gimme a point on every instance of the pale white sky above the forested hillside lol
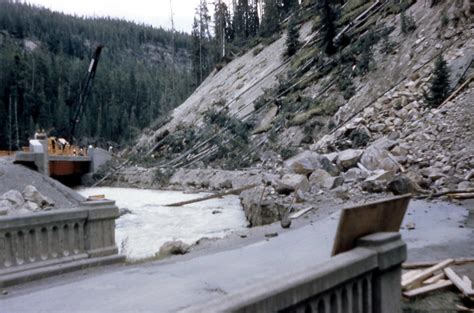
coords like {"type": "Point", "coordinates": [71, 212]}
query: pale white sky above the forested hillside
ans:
{"type": "Point", "coordinates": [151, 12]}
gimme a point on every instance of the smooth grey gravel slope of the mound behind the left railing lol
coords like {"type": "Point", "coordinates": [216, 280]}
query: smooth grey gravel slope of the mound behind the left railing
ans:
{"type": "Point", "coordinates": [13, 176]}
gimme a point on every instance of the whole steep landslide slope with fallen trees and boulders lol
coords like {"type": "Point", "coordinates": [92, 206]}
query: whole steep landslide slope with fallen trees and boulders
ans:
{"type": "Point", "coordinates": [310, 142]}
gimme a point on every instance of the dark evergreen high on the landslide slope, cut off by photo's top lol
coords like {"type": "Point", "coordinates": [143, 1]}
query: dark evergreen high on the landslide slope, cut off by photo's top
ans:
{"type": "Point", "coordinates": [328, 17]}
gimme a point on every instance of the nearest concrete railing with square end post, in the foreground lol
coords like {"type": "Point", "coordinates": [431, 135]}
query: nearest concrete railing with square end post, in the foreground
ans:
{"type": "Point", "coordinates": [363, 280]}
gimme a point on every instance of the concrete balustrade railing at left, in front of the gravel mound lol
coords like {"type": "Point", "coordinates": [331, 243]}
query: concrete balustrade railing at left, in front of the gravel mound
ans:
{"type": "Point", "coordinates": [47, 243]}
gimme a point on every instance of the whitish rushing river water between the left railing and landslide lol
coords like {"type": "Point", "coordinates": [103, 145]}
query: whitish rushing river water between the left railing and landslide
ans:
{"type": "Point", "coordinates": [141, 233]}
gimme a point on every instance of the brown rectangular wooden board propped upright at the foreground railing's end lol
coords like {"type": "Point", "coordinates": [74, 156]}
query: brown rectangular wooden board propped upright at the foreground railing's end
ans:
{"type": "Point", "coordinates": [380, 216]}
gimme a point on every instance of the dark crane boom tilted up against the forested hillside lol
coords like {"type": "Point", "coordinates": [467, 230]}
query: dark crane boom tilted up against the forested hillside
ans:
{"type": "Point", "coordinates": [85, 92]}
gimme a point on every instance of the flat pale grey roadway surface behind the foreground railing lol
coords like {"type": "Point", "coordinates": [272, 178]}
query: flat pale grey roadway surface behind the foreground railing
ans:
{"type": "Point", "coordinates": [179, 282]}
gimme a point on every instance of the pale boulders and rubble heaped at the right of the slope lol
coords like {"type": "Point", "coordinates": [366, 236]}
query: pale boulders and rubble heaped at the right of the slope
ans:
{"type": "Point", "coordinates": [411, 146]}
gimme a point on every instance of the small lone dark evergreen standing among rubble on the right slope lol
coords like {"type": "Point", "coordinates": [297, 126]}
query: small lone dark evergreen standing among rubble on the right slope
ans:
{"type": "Point", "coordinates": [439, 88]}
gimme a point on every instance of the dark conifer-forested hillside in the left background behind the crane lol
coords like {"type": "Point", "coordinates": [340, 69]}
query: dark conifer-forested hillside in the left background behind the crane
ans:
{"type": "Point", "coordinates": [44, 57]}
